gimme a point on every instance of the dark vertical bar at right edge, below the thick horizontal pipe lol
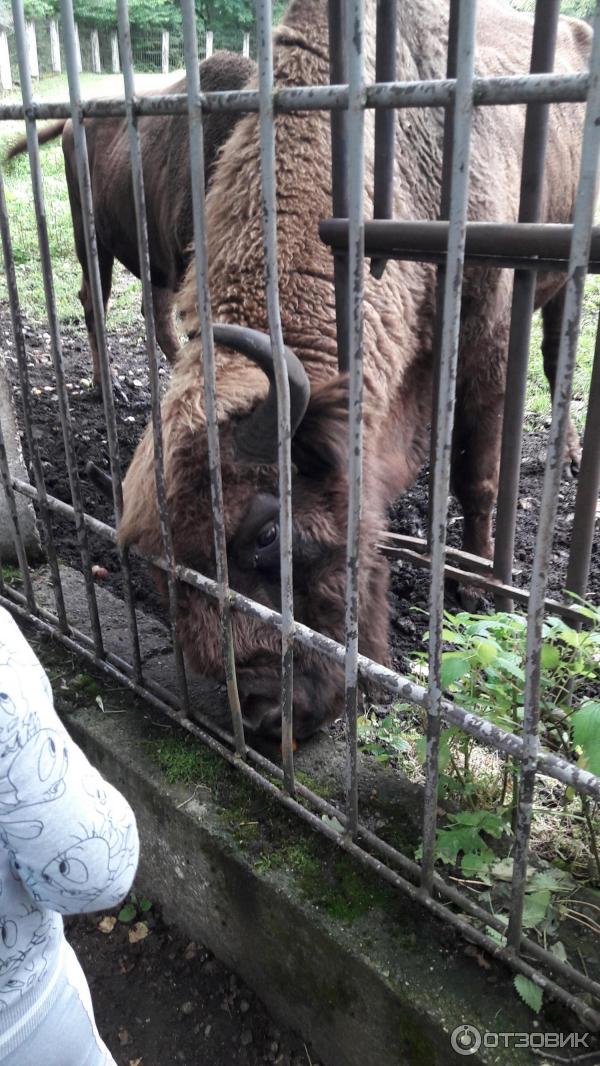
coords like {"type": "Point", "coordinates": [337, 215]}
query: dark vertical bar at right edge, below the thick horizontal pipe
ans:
{"type": "Point", "coordinates": [589, 487]}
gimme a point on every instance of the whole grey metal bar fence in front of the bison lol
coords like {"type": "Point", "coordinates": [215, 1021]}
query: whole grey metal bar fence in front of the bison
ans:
{"type": "Point", "coordinates": [527, 247]}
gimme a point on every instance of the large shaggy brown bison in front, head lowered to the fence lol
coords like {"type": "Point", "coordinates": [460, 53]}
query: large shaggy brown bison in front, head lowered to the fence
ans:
{"type": "Point", "coordinates": [399, 324]}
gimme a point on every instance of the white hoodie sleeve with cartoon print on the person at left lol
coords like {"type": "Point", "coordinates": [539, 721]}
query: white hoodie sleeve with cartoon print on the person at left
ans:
{"type": "Point", "coordinates": [72, 838]}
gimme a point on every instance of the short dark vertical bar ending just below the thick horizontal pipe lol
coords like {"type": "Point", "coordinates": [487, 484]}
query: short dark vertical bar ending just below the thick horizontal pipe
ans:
{"type": "Point", "coordinates": [385, 122]}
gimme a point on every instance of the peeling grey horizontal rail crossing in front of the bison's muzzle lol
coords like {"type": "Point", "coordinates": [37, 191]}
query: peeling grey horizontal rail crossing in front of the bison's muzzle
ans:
{"type": "Point", "coordinates": [370, 672]}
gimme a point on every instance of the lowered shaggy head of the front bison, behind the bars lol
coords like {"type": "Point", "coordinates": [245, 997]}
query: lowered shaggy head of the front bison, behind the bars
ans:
{"type": "Point", "coordinates": [248, 416]}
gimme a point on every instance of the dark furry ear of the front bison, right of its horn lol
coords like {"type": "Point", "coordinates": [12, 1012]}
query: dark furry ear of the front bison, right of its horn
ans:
{"type": "Point", "coordinates": [320, 444]}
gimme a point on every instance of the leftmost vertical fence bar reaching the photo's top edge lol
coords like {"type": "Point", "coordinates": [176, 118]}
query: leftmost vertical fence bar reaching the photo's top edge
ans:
{"type": "Point", "coordinates": [54, 330]}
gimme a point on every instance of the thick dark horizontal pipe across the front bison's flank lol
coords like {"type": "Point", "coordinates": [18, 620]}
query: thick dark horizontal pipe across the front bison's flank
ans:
{"type": "Point", "coordinates": [534, 246]}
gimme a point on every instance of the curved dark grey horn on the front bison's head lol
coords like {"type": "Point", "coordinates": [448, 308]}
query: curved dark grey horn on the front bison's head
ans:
{"type": "Point", "coordinates": [256, 438]}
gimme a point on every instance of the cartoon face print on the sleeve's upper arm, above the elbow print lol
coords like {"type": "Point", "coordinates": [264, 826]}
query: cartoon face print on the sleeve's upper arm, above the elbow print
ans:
{"type": "Point", "coordinates": [37, 773]}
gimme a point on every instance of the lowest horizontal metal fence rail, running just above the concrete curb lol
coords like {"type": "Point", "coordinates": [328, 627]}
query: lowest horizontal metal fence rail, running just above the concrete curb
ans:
{"type": "Point", "coordinates": [343, 841]}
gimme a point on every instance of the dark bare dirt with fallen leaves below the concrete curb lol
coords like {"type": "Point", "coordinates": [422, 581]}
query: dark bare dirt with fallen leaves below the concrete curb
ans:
{"type": "Point", "coordinates": [166, 1002]}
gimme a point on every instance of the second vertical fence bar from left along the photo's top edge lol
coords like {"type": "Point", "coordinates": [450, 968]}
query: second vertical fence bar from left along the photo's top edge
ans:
{"type": "Point", "coordinates": [99, 305]}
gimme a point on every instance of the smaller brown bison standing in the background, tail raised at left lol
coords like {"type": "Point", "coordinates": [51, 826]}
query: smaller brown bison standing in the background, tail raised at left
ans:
{"type": "Point", "coordinates": [169, 202]}
